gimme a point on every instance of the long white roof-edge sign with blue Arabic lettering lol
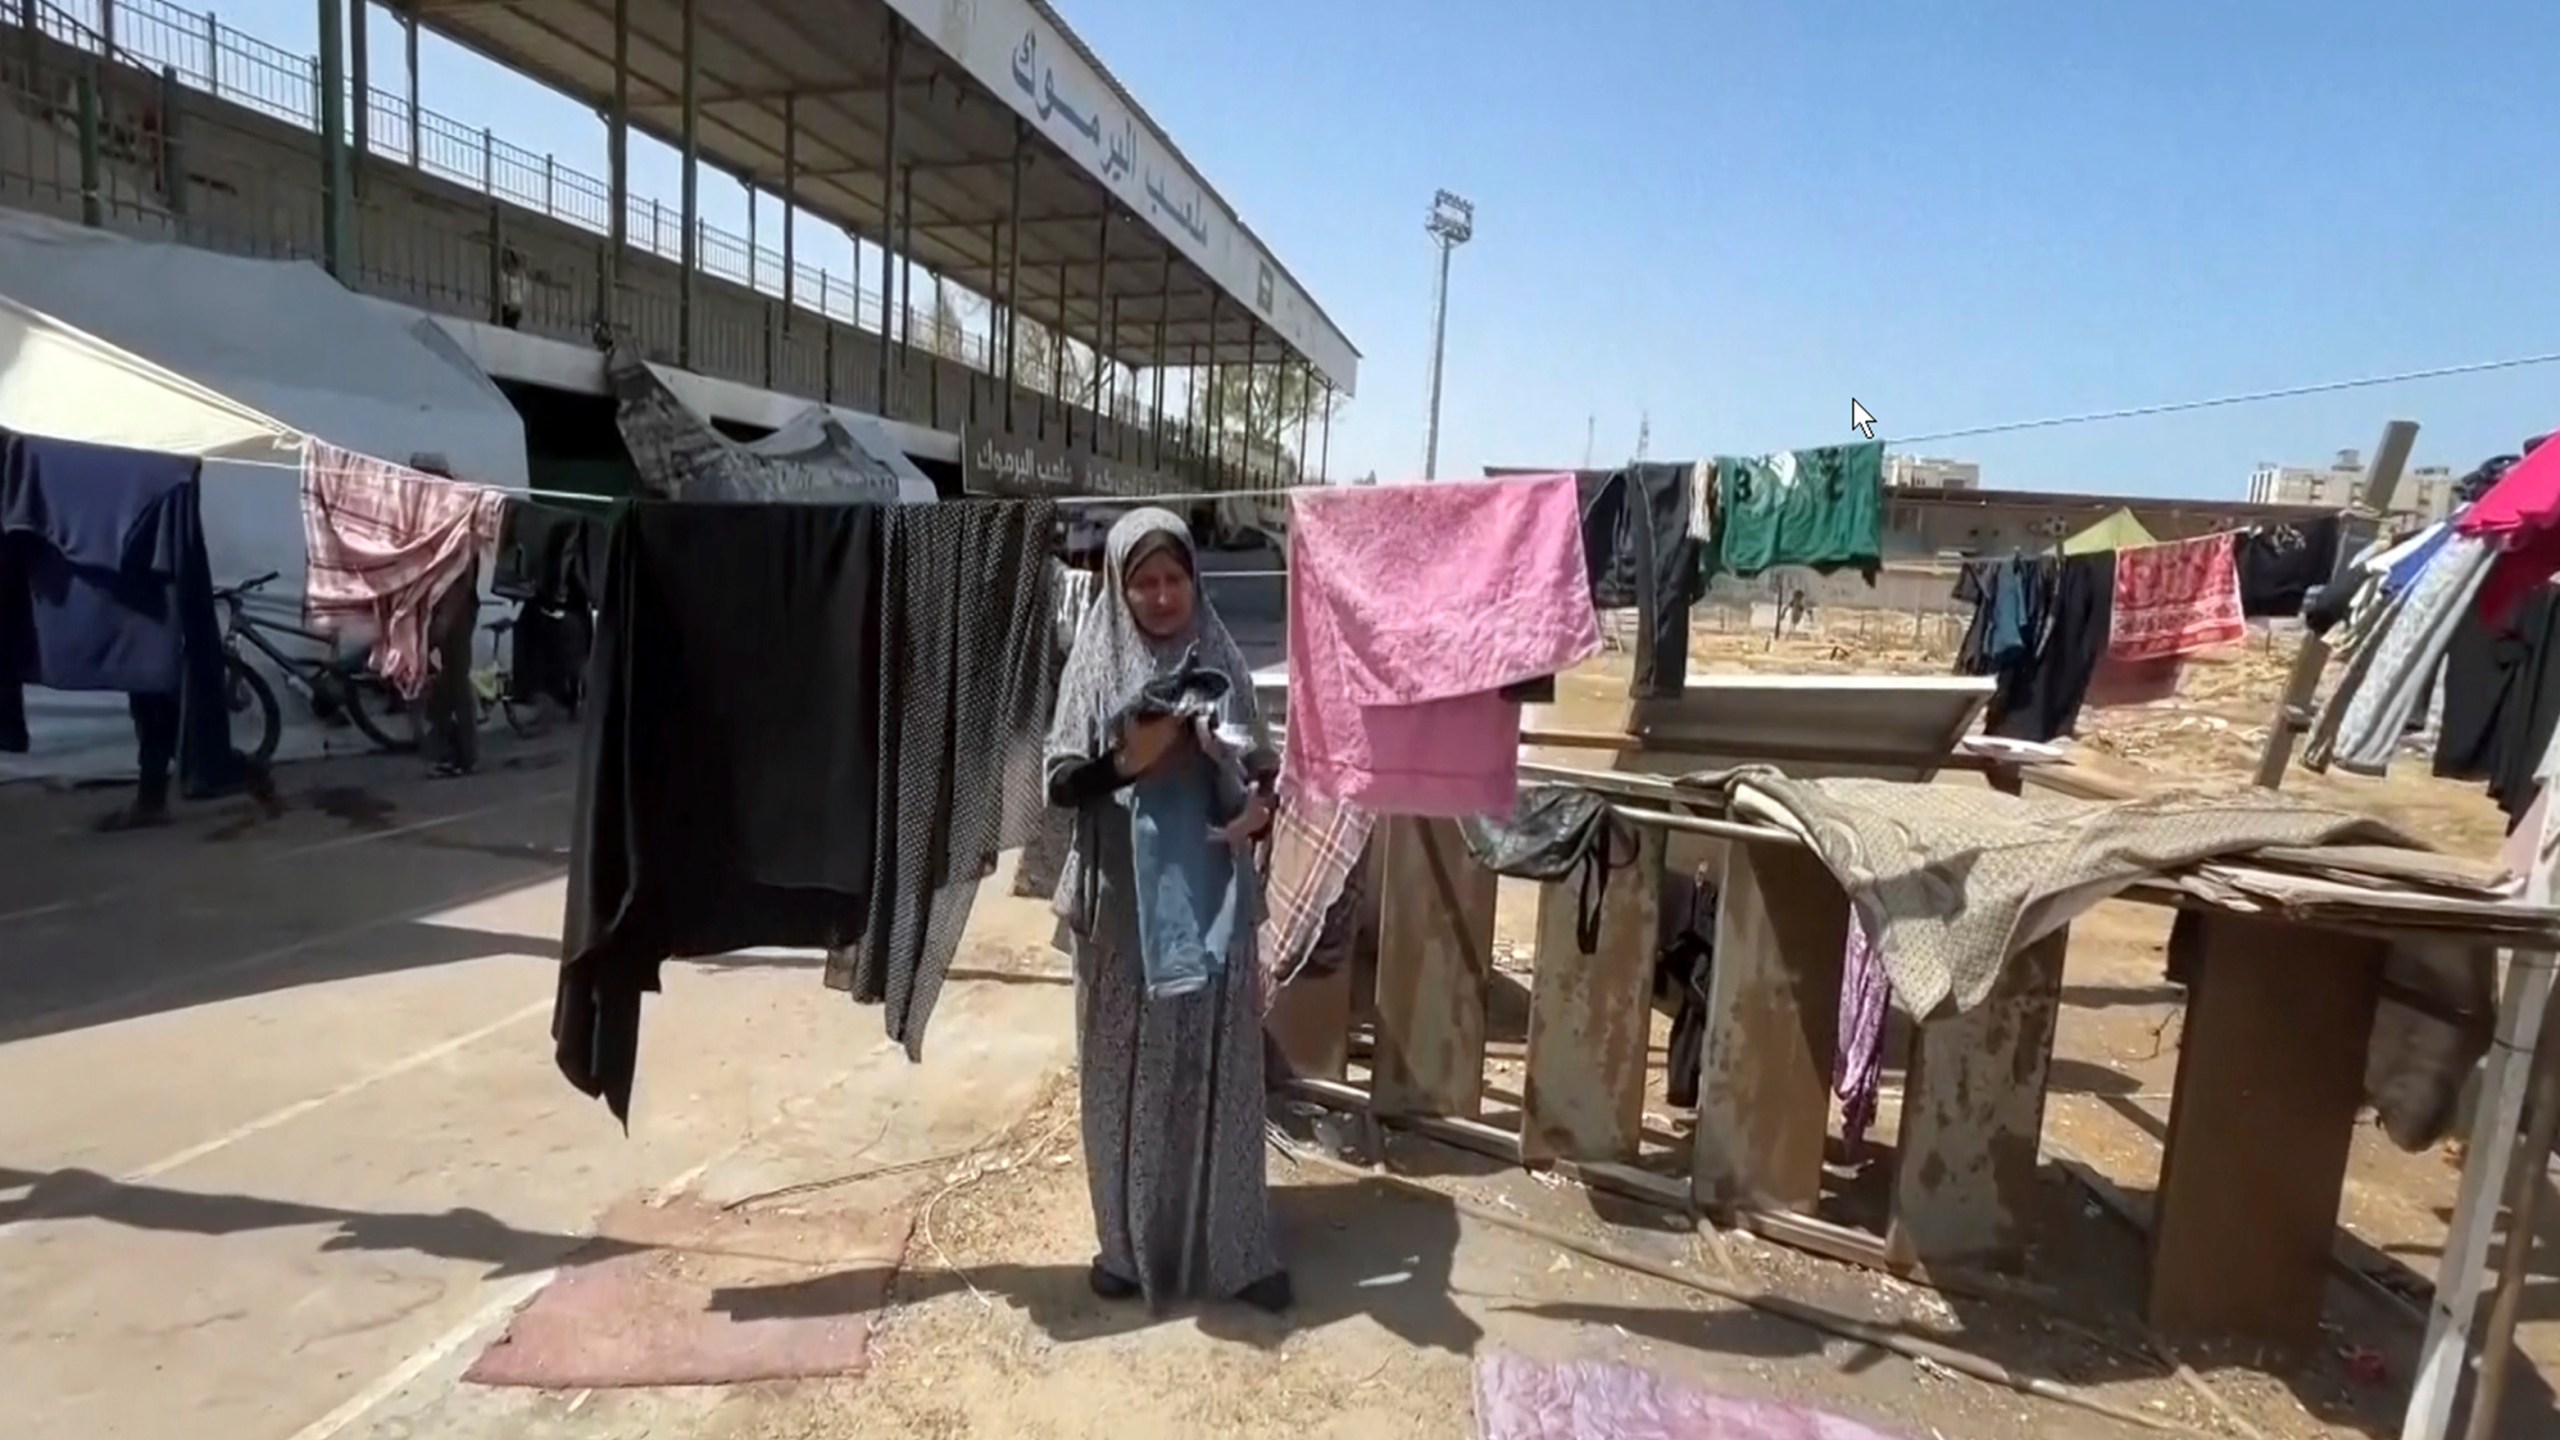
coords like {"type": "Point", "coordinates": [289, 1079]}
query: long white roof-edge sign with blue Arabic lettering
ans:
{"type": "Point", "coordinates": [1020, 55]}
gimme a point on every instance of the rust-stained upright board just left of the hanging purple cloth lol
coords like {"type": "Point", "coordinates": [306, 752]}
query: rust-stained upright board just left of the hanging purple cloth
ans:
{"type": "Point", "coordinates": [1773, 1031]}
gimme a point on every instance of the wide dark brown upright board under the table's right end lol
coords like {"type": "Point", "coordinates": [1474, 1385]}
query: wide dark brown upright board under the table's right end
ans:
{"type": "Point", "coordinates": [2272, 1072]}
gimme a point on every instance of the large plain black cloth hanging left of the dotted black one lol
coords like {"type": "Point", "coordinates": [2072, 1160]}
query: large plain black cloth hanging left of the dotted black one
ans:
{"type": "Point", "coordinates": [728, 762]}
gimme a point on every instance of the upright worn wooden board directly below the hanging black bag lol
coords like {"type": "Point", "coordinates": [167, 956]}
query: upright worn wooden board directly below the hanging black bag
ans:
{"type": "Point", "coordinates": [1591, 1019]}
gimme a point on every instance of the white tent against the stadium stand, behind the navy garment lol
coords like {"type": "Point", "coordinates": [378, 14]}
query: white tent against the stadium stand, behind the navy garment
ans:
{"type": "Point", "coordinates": [232, 360]}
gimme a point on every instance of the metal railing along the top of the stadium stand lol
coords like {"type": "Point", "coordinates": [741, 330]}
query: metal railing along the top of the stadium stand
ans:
{"type": "Point", "coordinates": [201, 53]}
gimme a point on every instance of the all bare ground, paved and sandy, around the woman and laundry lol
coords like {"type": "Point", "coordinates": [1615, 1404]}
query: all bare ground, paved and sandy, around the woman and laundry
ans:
{"type": "Point", "coordinates": [756, 1098]}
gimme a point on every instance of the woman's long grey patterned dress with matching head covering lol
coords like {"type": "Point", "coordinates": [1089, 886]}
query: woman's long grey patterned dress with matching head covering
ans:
{"type": "Point", "coordinates": [1171, 1088]}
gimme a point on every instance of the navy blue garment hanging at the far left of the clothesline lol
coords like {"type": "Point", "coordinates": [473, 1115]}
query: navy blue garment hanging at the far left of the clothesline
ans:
{"type": "Point", "coordinates": [106, 588]}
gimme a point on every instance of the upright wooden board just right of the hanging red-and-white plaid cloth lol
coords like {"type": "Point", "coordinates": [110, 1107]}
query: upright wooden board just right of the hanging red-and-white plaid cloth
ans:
{"type": "Point", "coordinates": [1435, 957]}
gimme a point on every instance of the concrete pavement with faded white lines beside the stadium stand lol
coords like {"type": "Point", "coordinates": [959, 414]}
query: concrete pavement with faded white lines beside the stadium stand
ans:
{"type": "Point", "coordinates": [283, 1126]}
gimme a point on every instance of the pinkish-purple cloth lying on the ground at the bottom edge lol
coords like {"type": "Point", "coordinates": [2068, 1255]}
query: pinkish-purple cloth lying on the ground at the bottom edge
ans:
{"type": "Point", "coordinates": [1588, 1400]}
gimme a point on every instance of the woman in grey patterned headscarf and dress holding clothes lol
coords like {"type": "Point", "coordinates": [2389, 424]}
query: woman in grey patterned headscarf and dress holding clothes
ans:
{"type": "Point", "coordinates": [1171, 1075]}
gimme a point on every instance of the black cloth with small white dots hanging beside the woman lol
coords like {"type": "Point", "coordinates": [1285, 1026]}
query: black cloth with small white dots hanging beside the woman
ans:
{"type": "Point", "coordinates": [966, 691]}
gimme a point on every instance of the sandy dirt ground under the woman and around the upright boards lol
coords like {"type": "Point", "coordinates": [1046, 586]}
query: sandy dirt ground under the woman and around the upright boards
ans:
{"type": "Point", "coordinates": [992, 1331]}
